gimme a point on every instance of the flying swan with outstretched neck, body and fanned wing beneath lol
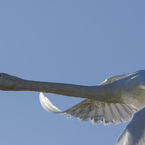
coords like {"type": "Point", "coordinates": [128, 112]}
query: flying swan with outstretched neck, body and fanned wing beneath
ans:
{"type": "Point", "coordinates": [113, 101]}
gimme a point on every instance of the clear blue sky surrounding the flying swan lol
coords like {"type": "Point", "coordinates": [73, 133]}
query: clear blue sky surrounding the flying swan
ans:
{"type": "Point", "coordinates": [80, 42]}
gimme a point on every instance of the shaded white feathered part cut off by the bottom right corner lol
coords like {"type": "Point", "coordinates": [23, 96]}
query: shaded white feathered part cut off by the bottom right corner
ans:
{"type": "Point", "coordinates": [134, 133]}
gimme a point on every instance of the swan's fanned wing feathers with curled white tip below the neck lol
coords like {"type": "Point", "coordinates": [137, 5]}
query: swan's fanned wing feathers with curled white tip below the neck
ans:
{"type": "Point", "coordinates": [96, 112]}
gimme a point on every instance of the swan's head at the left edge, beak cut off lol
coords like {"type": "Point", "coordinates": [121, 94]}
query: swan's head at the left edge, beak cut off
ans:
{"type": "Point", "coordinates": [8, 82]}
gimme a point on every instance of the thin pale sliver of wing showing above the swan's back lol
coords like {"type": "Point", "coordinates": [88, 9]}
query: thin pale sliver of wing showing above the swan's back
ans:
{"type": "Point", "coordinates": [114, 78]}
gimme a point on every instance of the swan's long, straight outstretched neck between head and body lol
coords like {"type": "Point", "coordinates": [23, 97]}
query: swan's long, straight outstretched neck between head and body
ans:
{"type": "Point", "coordinates": [57, 88]}
